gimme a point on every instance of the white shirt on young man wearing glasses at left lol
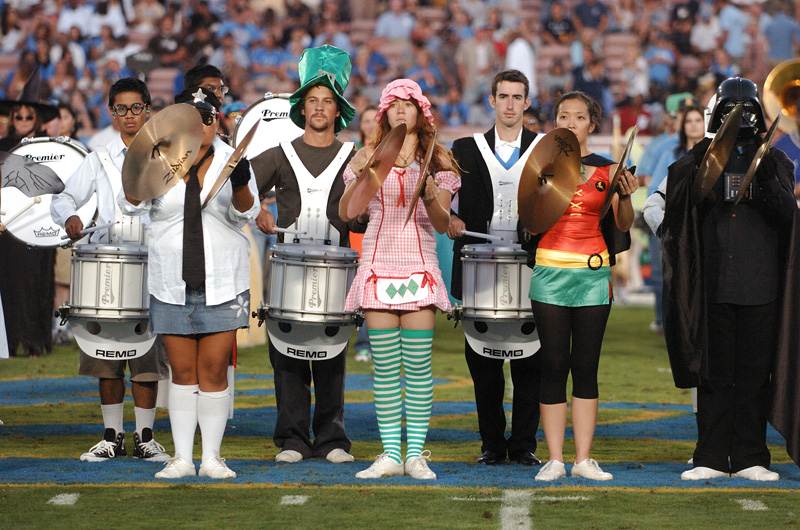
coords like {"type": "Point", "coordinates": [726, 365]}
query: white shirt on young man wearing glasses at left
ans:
{"type": "Point", "coordinates": [91, 179]}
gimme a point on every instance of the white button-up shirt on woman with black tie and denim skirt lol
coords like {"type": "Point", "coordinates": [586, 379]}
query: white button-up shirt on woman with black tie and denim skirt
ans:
{"type": "Point", "coordinates": [227, 249]}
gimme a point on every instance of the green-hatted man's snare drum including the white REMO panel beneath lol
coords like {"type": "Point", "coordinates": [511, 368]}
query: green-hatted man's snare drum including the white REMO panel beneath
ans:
{"type": "Point", "coordinates": [306, 317]}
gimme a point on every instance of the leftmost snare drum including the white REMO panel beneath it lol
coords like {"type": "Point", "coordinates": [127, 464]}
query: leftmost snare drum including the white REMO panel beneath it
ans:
{"type": "Point", "coordinates": [109, 301]}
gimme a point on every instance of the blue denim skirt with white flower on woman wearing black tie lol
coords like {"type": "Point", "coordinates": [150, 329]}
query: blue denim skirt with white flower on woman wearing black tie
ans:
{"type": "Point", "coordinates": [195, 317]}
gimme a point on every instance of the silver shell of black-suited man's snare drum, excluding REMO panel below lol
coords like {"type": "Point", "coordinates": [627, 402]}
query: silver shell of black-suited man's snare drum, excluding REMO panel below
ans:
{"type": "Point", "coordinates": [495, 283]}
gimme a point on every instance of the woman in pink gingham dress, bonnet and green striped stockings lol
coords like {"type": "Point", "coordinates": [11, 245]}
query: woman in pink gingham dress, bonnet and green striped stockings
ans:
{"type": "Point", "coordinates": [399, 284]}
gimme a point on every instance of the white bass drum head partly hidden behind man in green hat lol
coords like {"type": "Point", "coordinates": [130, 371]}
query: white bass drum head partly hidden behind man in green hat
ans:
{"type": "Point", "coordinates": [273, 112]}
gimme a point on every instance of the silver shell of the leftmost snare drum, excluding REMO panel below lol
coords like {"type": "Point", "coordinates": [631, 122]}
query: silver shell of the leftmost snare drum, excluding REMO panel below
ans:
{"type": "Point", "coordinates": [109, 282]}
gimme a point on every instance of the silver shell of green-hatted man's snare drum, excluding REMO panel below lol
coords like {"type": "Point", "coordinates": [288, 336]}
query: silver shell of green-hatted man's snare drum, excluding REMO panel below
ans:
{"type": "Point", "coordinates": [309, 283]}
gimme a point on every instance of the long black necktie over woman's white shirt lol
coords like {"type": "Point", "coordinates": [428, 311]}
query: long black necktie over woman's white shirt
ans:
{"type": "Point", "coordinates": [194, 257]}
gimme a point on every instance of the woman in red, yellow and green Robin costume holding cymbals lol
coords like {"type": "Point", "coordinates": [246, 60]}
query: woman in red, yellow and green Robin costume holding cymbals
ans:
{"type": "Point", "coordinates": [571, 295]}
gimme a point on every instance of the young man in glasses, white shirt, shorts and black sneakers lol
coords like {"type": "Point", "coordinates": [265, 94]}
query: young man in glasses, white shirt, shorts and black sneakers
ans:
{"type": "Point", "coordinates": [100, 174]}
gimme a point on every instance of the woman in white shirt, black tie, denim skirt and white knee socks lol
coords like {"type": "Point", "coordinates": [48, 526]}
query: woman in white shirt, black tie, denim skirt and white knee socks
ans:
{"type": "Point", "coordinates": [199, 274]}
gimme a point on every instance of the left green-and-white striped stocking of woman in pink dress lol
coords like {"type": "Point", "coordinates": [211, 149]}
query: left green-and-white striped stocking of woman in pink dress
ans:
{"type": "Point", "coordinates": [386, 355]}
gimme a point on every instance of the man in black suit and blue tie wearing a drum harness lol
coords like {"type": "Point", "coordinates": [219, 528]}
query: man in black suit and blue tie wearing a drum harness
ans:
{"type": "Point", "coordinates": [491, 165]}
